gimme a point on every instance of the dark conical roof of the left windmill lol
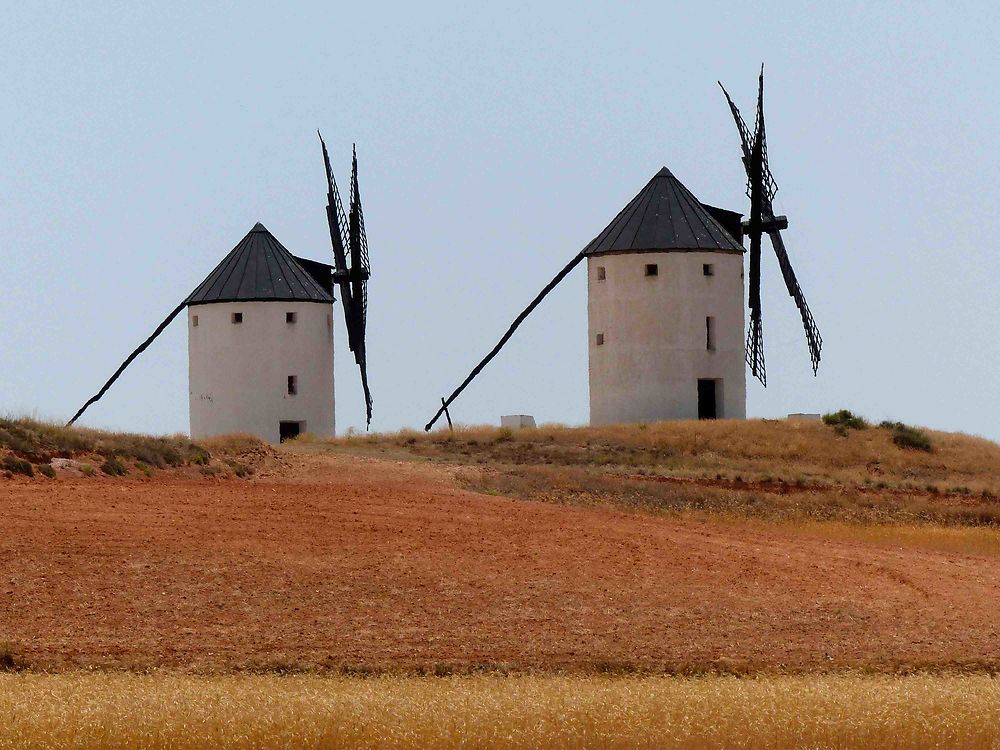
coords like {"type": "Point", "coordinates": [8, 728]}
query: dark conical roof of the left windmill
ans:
{"type": "Point", "coordinates": [259, 268]}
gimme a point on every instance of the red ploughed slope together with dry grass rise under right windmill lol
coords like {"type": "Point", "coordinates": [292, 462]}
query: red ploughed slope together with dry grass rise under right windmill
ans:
{"type": "Point", "coordinates": [683, 547]}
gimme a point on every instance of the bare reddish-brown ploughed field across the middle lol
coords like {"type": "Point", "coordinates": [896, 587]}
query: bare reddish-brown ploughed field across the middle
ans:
{"type": "Point", "coordinates": [380, 564]}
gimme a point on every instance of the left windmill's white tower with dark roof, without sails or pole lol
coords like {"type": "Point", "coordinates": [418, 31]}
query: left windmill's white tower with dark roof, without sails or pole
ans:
{"type": "Point", "coordinates": [260, 344]}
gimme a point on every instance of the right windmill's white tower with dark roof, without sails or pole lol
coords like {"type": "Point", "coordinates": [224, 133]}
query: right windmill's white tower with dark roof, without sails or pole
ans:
{"type": "Point", "coordinates": [665, 310]}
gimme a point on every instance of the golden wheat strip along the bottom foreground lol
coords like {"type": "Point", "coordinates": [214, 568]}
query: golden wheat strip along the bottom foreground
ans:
{"type": "Point", "coordinates": [118, 710]}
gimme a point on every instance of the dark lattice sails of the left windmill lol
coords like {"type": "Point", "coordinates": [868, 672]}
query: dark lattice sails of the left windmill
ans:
{"type": "Point", "coordinates": [347, 235]}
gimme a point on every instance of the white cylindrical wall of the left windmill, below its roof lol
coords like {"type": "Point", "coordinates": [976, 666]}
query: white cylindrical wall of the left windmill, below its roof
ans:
{"type": "Point", "coordinates": [238, 374]}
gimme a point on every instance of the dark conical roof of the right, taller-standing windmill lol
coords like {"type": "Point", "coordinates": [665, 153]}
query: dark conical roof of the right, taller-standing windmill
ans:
{"type": "Point", "coordinates": [664, 216]}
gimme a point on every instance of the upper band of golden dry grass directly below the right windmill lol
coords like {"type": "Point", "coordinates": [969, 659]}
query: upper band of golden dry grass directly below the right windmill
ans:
{"type": "Point", "coordinates": [752, 449]}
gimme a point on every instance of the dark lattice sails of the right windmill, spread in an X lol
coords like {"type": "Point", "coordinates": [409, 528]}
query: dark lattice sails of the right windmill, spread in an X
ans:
{"type": "Point", "coordinates": [761, 189]}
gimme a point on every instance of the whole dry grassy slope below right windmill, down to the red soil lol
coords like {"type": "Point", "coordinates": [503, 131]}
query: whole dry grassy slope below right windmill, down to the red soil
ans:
{"type": "Point", "coordinates": [844, 484]}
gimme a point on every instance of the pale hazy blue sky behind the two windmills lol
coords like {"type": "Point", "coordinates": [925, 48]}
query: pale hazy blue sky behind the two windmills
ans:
{"type": "Point", "coordinates": [139, 144]}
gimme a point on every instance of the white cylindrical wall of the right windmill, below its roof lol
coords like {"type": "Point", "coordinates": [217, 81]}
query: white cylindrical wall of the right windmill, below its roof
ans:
{"type": "Point", "coordinates": [654, 349]}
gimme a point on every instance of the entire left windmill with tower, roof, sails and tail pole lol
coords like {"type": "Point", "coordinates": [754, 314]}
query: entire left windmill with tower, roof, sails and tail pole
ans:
{"type": "Point", "coordinates": [267, 282]}
